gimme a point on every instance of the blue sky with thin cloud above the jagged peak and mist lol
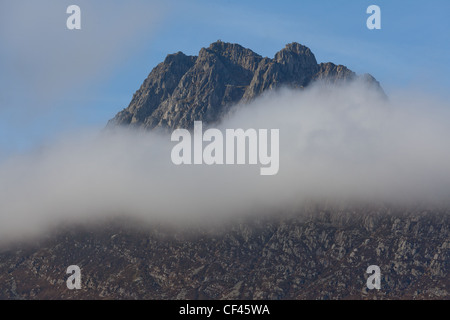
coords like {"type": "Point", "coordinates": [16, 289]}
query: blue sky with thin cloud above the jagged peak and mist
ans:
{"type": "Point", "coordinates": [55, 81]}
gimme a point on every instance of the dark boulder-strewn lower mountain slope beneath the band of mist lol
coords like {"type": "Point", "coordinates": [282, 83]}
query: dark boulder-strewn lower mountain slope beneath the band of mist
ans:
{"type": "Point", "coordinates": [314, 254]}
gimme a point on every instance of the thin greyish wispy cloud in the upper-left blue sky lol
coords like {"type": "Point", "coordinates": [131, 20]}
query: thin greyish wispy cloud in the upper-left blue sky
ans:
{"type": "Point", "coordinates": [41, 60]}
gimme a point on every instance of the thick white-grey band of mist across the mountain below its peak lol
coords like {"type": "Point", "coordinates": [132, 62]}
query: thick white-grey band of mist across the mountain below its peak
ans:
{"type": "Point", "coordinates": [337, 143]}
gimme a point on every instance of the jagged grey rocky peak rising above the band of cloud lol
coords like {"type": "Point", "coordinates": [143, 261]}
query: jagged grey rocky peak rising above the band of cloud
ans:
{"type": "Point", "coordinates": [183, 88]}
